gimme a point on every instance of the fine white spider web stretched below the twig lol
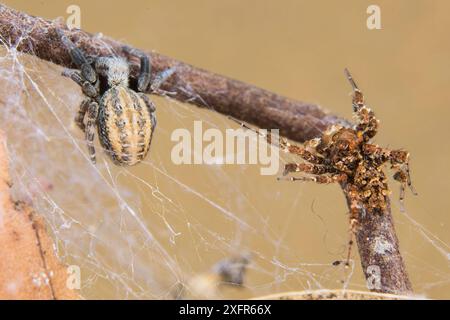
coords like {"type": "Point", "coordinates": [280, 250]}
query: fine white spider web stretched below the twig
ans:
{"type": "Point", "coordinates": [142, 232]}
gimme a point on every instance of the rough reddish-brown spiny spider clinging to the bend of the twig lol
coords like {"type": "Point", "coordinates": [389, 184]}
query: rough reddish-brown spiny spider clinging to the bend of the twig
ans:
{"type": "Point", "coordinates": [346, 156]}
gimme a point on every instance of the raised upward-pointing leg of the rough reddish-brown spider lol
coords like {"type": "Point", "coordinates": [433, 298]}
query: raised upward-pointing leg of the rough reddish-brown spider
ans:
{"type": "Point", "coordinates": [367, 125]}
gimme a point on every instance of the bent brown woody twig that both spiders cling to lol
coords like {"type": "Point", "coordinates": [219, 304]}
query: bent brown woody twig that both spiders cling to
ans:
{"type": "Point", "coordinates": [376, 240]}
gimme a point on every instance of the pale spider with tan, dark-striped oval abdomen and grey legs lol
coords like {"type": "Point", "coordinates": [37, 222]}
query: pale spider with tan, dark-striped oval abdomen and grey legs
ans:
{"type": "Point", "coordinates": [125, 119]}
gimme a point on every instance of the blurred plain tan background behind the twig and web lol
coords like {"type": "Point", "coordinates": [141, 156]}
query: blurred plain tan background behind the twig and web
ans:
{"type": "Point", "coordinates": [299, 49]}
